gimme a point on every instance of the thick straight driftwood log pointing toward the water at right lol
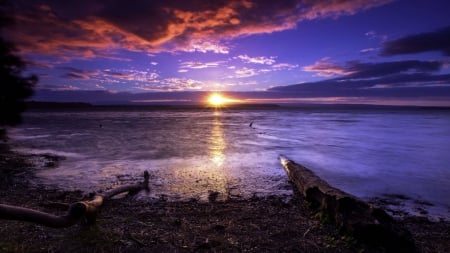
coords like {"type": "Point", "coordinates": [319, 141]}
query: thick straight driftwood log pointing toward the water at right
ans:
{"type": "Point", "coordinates": [351, 215]}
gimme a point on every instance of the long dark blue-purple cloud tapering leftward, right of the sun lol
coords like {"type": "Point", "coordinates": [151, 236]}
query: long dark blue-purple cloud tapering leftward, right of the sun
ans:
{"type": "Point", "coordinates": [390, 79]}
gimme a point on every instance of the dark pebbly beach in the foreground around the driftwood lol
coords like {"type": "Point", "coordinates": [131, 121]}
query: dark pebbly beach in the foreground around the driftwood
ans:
{"type": "Point", "coordinates": [126, 225]}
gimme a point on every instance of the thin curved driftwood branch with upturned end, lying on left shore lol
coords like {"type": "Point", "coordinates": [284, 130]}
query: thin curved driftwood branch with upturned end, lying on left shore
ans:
{"type": "Point", "coordinates": [77, 211]}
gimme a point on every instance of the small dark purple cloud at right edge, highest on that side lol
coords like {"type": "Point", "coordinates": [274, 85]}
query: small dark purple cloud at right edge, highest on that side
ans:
{"type": "Point", "coordinates": [438, 40]}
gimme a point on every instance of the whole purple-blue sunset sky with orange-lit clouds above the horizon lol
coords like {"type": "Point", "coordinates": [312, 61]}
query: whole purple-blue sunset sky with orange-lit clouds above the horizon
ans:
{"type": "Point", "coordinates": [283, 51]}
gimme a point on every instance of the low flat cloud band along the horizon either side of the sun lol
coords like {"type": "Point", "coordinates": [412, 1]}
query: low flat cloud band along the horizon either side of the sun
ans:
{"type": "Point", "coordinates": [403, 96]}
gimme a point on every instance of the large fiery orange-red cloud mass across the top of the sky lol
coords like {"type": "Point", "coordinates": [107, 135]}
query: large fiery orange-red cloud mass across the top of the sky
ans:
{"type": "Point", "coordinates": [94, 28]}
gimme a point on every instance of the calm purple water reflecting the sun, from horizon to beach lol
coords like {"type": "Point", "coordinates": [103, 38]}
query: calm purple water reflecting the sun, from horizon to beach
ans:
{"type": "Point", "coordinates": [189, 152]}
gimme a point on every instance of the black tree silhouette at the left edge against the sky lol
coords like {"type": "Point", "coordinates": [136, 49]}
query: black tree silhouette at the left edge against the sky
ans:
{"type": "Point", "coordinates": [14, 86]}
